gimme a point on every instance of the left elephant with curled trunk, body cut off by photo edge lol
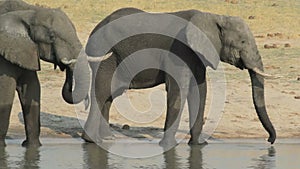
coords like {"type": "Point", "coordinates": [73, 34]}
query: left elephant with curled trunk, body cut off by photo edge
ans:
{"type": "Point", "coordinates": [28, 34]}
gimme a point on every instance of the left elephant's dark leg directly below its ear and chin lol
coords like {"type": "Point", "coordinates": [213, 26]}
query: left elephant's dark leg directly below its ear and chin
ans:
{"type": "Point", "coordinates": [29, 94]}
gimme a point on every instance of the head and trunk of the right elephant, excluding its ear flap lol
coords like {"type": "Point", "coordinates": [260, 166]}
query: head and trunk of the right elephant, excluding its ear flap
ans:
{"type": "Point", "coordinates": [236, 45]}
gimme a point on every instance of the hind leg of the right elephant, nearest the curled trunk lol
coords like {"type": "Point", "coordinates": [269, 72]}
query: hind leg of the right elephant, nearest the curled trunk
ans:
{"type": "Point", "coordinates": [97, 125]}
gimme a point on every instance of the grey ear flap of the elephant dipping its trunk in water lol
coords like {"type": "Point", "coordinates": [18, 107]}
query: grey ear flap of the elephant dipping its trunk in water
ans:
{"type": "Point", "coordinates": [198, 41]}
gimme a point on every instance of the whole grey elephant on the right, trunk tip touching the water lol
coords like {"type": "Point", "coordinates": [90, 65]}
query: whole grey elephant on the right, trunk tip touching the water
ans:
{"type": "Point", "coordinates": [198, 39]}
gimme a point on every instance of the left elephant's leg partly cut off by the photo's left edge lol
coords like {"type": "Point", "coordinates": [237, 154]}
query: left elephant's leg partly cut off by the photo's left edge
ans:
{"type": "Point", "coordinates": [7, 92]}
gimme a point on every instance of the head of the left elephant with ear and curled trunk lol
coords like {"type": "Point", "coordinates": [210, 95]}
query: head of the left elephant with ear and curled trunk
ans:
{"type": "Point", "coordinates": [48, 34]}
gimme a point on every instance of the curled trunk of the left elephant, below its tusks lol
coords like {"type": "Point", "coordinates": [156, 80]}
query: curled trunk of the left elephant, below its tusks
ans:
{"type": "Point", "coordinates": [81, 77]}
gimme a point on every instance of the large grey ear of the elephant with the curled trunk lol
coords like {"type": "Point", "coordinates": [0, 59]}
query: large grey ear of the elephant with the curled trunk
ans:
{"type": "Point", "coordinates": [16, 45]}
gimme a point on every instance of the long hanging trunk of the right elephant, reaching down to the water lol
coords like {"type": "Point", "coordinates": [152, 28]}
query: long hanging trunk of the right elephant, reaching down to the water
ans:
{"type": "Point", "coordinates": [257, 81]}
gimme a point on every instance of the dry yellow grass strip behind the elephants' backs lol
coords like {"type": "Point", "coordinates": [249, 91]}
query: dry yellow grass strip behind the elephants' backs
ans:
{"type": "Point", "coordinates": [270, 16]}
